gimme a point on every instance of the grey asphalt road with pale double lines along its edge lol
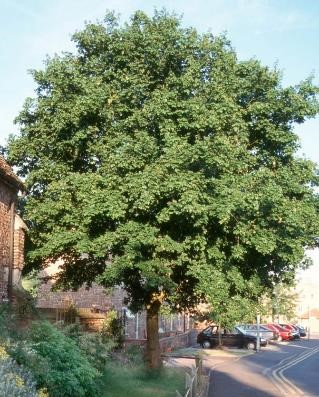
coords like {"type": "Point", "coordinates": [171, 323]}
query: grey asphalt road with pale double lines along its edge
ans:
{"type": "Point", "coordinates": [286, 369]}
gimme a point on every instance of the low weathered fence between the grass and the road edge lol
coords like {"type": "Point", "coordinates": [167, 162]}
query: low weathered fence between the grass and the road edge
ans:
{"type": "Point", "coordinates": [196, 383]}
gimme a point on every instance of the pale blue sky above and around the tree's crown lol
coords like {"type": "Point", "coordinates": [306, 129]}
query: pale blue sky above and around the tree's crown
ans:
{"type": "Point", "coordinates": [282, 32]}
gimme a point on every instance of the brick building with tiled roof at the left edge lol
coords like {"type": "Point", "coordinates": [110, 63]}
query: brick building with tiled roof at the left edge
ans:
{"type": "Point", "coordinates": [12, 232]}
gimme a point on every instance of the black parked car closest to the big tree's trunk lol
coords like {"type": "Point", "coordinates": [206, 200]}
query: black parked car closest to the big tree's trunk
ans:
{"type": "Point", "coordinates": [209, 337]}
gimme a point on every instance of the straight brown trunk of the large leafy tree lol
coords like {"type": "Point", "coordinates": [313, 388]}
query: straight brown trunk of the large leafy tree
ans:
{"type": "Point", "coordinates": [153, 356]}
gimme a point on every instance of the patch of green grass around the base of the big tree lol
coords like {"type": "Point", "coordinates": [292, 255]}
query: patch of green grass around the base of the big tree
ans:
{"type": "Point", "coordinates": [136, 381]}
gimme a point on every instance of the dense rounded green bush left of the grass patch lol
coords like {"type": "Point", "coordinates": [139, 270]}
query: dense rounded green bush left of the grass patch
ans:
{"type": "Point", "coordinates": [56, 362]}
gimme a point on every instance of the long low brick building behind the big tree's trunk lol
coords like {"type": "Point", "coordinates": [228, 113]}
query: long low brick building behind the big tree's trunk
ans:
{"type": "Point", "coordinates": [92, 305]}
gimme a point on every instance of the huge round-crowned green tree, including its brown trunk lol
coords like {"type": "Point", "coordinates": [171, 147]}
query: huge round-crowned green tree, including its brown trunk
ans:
{"type": "Point", "coordinates": [154, 146]}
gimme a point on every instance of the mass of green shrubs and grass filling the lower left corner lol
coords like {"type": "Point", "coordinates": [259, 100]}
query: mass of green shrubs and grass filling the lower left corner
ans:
{"type": "Point", "coordinates": [64, 361]}
